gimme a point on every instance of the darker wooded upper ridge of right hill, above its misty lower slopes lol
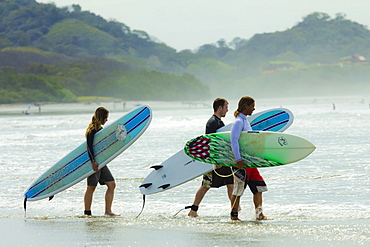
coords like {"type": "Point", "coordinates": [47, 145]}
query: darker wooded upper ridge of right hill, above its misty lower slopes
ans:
{"type": "Point", "coordinates": [317, 39]}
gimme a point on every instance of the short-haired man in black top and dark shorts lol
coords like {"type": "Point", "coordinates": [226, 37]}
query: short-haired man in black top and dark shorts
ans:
{"type": "Point", "coordinates": [212, 179]}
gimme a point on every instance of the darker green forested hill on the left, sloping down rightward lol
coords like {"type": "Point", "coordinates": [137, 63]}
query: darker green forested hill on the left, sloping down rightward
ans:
{"type": "Point", "coordinates": [57, 54]}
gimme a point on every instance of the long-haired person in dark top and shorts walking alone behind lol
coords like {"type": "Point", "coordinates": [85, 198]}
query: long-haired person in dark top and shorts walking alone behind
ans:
{"type": "Point", "coordinates": [103, 176]}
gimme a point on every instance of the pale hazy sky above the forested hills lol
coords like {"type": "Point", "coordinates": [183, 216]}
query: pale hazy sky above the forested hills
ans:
{"type": "Point", "coordinates": [188, 24]}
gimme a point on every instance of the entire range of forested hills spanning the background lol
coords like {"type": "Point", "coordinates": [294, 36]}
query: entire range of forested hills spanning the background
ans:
{"type": "Point", "coordinates": [58, 54]}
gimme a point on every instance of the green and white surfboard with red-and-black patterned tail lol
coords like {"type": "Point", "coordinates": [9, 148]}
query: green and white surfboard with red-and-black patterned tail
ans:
{"type": "Point", "coordinates": [257, 148]}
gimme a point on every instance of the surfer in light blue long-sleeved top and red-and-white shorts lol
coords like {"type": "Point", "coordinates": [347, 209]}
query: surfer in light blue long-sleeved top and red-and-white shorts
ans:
{"type": "Point", "coordinates": [245, 176]}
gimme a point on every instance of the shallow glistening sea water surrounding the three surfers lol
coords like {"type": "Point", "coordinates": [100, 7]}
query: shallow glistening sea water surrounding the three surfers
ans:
{"type": "Point", "coordinates": [323, 200]}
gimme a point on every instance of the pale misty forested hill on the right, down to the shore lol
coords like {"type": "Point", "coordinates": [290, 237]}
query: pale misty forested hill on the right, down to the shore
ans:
{"type": "Point", "coordinates": [318, 56]}
